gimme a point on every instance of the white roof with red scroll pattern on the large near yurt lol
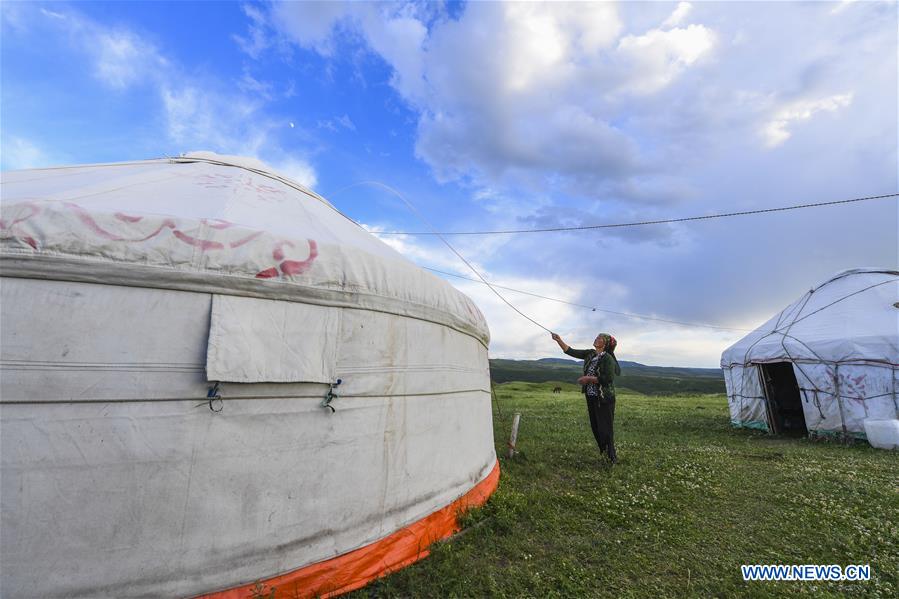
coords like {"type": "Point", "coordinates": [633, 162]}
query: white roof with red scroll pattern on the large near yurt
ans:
{"type": "Point", "coordinates": [212, 223]}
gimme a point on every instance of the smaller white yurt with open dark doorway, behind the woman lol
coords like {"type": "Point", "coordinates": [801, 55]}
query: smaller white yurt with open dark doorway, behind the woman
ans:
{"type": "Point", "coordinates": [823, 365]}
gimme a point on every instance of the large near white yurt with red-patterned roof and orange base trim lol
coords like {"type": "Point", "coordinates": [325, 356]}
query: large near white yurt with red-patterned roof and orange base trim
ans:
{"type": "Point", "coordinates": [171, 331]}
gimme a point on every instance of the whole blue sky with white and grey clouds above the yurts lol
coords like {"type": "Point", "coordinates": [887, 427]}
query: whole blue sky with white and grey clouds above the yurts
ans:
{"type": "Point", "coordinates": [490, 115]}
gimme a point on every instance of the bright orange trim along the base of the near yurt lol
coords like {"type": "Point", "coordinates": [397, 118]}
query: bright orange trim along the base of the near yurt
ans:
{"type": "Point", "coordinates": [357, 568]}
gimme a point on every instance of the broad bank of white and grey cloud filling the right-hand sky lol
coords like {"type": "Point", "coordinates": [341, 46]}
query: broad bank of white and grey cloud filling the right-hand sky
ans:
{"type": "Point", "coordinates": [638, 113]}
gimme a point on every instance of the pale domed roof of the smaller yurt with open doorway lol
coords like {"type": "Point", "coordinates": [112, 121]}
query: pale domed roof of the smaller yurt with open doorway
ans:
{"type": "Point", "coordinates": [851, 317]}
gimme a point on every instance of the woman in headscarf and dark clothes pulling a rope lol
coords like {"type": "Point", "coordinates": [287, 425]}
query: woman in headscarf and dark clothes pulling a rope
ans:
{"type": "Point", "coordinates": [597, 384]}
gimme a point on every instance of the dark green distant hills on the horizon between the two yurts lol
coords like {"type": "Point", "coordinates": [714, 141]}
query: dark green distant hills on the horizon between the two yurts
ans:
{"type": "Point", "coordinates": [651, 380]}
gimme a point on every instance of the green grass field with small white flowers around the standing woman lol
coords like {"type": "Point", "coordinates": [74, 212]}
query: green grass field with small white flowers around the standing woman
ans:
{"type": "Point", "coordinates": [690, 500]}
